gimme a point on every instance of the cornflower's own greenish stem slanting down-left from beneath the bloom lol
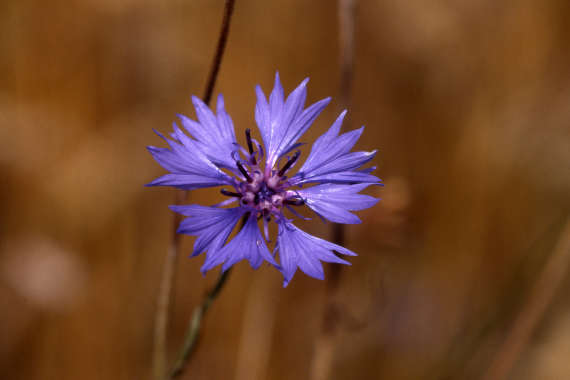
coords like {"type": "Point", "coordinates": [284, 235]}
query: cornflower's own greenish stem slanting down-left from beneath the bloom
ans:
{"type": "Point", "coordinates": [195, 323]}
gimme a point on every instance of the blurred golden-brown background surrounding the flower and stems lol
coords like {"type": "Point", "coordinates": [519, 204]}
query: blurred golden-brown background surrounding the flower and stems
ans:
{"type": "Point", "coordinates": [467, 101]}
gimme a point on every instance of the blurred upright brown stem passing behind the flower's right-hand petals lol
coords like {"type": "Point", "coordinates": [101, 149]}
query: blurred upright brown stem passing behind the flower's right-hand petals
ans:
{"type": "Point", "coordinates": [325, 343]}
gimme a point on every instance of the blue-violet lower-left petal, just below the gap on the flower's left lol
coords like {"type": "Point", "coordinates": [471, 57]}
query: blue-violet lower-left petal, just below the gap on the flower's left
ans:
{"type": "Point", "coordinates": [211, 225]}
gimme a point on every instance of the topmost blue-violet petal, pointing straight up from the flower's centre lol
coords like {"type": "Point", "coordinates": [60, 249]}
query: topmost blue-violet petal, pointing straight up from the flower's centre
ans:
{"type": "Point", "coordinates": [282, 122]}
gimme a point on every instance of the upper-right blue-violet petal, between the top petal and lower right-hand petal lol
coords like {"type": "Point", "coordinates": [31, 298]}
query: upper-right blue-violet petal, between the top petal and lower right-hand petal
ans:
{"type": "Point", "coordinates": [331, 160]}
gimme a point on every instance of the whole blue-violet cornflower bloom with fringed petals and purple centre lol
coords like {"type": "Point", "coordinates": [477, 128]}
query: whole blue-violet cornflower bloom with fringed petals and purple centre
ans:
{"type": "Point", "coordinates": [257, 178]}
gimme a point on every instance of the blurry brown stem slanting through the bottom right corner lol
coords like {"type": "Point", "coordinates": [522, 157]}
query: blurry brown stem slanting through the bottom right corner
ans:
{"type": "Point", "coordinates": [540, 297]}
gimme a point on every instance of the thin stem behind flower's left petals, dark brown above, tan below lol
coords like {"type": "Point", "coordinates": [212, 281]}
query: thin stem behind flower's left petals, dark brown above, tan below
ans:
{"type": "Point", "coordinates": [165, 291]}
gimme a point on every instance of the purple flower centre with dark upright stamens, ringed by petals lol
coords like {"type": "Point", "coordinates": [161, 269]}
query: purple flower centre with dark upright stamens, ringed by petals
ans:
{"type": "Point", "coordinates": [264, 192]}
